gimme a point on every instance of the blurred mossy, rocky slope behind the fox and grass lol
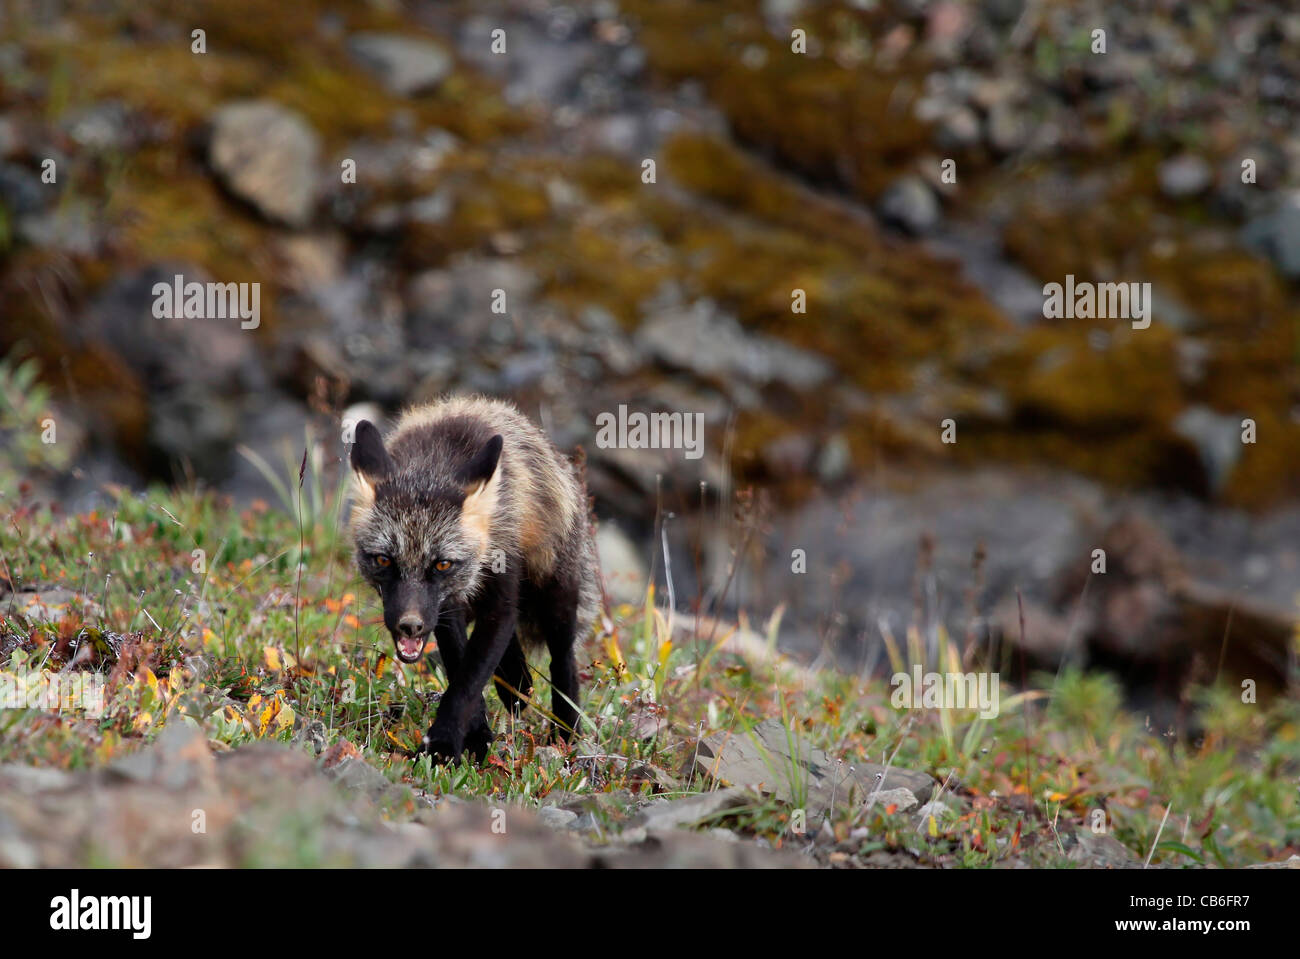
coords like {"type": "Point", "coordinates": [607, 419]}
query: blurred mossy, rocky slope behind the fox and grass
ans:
{"type": "Point", "coordinates": [224, 157]}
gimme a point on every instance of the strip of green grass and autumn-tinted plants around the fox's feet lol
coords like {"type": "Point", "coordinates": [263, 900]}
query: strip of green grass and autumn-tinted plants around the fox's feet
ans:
{"type": "Point", "coordinates": [274, 630]}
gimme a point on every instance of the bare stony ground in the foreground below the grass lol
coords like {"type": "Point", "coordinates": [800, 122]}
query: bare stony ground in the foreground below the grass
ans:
{"type": "Point", "coordinates": [179, 804]}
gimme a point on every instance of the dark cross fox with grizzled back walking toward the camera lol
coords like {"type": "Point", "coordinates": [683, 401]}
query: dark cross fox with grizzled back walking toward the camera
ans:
{"type": "Point", "coordinates": [469, 514]}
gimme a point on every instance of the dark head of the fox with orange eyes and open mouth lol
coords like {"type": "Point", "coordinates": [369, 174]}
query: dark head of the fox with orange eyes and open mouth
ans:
{"type": "Point", "coordinates": [422, 541]}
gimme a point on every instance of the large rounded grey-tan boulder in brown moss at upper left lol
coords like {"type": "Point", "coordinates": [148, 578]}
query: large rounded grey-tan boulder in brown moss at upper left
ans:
{"type": "Point", "coordinates": [267, 154]}
